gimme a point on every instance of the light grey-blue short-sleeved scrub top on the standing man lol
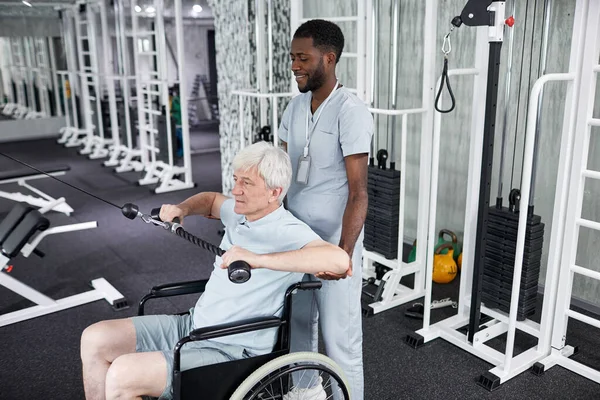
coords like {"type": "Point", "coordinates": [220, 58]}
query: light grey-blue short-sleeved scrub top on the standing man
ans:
{"type": "Point", "coordinates": [345, 127]}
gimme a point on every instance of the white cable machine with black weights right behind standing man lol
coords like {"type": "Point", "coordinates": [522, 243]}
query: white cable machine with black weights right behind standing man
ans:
{"type": "Point", "coordinates": [383, 265]}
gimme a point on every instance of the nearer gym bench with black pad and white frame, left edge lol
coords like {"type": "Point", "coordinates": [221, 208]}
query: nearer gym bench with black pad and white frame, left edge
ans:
{"type": "Point", "coordinates": [19, 226]}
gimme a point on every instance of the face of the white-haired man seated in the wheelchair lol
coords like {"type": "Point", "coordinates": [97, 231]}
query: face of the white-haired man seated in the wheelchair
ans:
{"type": "Point", "coordinates": [252, 197]}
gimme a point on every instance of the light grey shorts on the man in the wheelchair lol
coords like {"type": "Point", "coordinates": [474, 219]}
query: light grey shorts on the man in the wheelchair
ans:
{"type": "Point", "coordinates": [162, 332]}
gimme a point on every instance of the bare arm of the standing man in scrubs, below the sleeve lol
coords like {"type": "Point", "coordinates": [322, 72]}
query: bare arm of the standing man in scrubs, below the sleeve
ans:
{"type": "Point", "coordinates": [358, 201]}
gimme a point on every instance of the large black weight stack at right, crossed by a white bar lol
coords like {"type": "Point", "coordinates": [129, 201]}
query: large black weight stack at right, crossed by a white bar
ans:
{"type": "Point", "coordinates": [500, 250]}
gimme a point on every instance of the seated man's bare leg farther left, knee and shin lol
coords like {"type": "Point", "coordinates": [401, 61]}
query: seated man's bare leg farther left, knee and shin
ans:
{"type": "Point", "coordinates": [101, 344]}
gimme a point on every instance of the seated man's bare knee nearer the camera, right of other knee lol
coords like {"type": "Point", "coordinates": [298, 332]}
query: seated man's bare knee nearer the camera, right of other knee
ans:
{"type": "Point", "coordinates": [132, 375]}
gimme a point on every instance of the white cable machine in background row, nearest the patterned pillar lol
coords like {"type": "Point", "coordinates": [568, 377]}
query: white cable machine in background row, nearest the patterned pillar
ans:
{"type": "Point", "coordinates": [157, 136]}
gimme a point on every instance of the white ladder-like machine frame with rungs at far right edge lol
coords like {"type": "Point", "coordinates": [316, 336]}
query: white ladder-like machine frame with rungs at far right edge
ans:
{"type": "Point", "coordinates": [563, 256]}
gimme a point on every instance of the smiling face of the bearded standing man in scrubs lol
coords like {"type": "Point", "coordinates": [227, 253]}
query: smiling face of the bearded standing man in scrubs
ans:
{"type": "Point", "coordinates": [311, 67]}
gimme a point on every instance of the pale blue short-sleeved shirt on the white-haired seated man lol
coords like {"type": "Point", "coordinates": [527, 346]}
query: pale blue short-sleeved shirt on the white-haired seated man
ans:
{"type": "Point", "coordinates": [262, 295]}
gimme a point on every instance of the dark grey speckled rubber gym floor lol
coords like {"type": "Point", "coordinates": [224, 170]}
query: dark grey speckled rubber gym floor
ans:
{"type": "Point", "coordinates": [40, 357]}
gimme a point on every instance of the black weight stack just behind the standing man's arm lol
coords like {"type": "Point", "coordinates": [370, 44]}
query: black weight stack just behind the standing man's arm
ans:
{"type": "Point", "coordinates": [381, 225]}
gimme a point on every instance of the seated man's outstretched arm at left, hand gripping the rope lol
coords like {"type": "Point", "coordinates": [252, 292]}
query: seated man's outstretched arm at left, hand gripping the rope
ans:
{"type": "Point", "coordinates": [207, 204]}
